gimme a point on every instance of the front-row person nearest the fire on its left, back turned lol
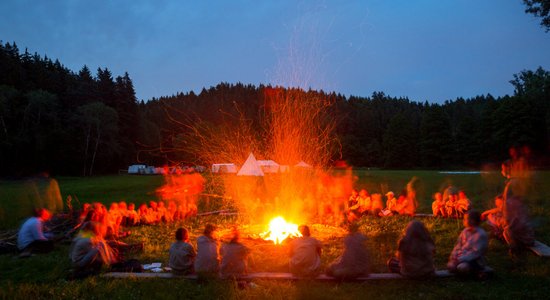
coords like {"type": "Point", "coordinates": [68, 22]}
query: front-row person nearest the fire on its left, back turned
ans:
{"type": "Point", "coordinates": [234, 257]}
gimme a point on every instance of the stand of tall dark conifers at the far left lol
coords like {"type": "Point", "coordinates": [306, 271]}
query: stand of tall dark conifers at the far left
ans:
{"type": "Point", "coordinates": [55, 120]}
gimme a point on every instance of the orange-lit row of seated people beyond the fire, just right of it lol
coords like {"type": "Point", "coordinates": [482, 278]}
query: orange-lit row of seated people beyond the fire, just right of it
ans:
{"type": "Point", "coordinates": [362, 203]}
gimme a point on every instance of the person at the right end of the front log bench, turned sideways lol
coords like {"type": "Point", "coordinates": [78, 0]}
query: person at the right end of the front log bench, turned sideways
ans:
{"type": "Point", "coordinates": [468, 255]}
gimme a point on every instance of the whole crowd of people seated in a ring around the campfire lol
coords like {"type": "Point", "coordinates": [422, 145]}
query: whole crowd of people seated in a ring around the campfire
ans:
{"type": "Point", "coordinates": [97, 236]}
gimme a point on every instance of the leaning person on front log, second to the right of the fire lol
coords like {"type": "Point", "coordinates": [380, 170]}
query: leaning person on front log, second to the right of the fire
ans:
{"type": "Point", "coordinates": [354, 262]}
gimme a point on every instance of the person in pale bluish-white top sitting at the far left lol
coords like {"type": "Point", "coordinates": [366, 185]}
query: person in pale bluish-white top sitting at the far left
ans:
{"type": "Point", "coordinates": [31, 237]}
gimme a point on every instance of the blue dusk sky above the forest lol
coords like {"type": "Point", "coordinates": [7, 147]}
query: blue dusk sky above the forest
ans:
{"type": "Point", "coordinates": [425, 50]}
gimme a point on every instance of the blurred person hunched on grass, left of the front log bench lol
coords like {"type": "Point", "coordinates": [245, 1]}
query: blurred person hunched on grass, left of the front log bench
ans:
{"type": "Point", "coordinates": [89, 251]}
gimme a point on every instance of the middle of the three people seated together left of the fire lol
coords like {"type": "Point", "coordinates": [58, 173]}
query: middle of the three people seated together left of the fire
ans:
{"type": "Point", "coordinates": [207, 262]}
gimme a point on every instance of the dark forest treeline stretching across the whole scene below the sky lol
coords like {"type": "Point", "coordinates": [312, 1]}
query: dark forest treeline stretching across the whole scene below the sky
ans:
{"type": "Point", "coordinates": [76, 123]}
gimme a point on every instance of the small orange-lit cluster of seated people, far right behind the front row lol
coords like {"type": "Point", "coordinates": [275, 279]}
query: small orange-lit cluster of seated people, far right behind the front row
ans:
{"type": "Point", "coordinates": [451, 204]}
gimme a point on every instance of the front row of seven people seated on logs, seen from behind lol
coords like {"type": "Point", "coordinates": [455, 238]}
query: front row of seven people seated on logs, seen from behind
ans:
{"type": "Point", "coordinates": [414, 256]}
